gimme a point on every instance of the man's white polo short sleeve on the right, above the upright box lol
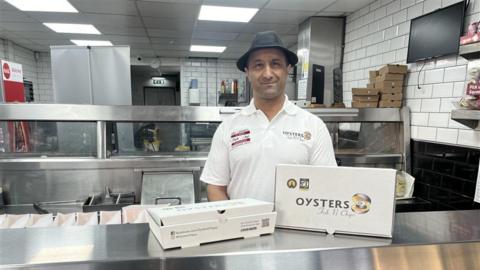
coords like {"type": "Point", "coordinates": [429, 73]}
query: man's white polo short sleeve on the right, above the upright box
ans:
{"type": "Point", "coordinates": [323, 153]}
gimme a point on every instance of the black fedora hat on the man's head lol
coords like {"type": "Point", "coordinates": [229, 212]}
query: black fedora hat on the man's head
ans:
{"type": "Point", "coordinates": [264, 40]}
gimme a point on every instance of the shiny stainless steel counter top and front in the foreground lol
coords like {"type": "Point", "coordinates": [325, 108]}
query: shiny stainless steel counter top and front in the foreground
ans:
{"type": "Point", "coordinates": [415, 244]}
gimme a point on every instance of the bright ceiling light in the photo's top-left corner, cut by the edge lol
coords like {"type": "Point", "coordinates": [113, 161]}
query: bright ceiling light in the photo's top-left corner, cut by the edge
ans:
{"type": "Point", "coordinates": [45, 6]}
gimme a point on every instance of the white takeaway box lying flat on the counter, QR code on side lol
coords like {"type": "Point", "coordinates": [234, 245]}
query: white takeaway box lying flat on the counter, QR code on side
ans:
{"type": "Point", "coordinates": [195, 224]}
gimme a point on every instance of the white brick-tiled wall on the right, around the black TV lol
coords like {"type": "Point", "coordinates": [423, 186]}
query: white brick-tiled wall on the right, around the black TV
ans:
{"type": "Point", "coordinates": [378, 34]}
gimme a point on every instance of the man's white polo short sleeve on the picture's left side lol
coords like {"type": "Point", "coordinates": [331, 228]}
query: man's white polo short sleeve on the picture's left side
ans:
{"type": "Point", "coordinates": [217, 168]}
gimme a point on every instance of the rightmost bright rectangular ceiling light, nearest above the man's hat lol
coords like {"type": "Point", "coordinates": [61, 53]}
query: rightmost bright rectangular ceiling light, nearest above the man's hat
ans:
{"type": "Point", "coordinates": [226, 14]}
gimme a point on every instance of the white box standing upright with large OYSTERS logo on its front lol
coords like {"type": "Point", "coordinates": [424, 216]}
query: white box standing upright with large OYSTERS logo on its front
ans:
{"type": "Point", "coordinates": [348, 200]}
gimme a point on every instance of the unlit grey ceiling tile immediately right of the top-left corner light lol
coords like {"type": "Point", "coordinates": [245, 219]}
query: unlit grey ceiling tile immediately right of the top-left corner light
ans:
{"type": "Point", "coordinates": [121, 7]}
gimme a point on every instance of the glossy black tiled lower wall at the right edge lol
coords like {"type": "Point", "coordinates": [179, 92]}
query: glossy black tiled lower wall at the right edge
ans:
{"type": "Point", "coordinates": [445, 175]}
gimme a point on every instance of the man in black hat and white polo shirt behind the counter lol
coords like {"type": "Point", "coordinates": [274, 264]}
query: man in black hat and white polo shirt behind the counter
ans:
{"type": "Point", "coordinates": [270, 131]}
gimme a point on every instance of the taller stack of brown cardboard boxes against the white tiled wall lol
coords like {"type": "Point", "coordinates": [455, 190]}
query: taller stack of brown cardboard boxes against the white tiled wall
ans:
{"type": "Point", "coordinates": [389, 83]}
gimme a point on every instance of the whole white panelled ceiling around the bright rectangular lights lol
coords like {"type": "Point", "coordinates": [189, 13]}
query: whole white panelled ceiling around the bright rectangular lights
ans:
{"type": "Point", "coordinates": [167, 28]}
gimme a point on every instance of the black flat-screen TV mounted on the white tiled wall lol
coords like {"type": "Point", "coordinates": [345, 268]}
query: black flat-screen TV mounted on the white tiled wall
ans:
{"type": "Point", "coordinates": [436, 34]}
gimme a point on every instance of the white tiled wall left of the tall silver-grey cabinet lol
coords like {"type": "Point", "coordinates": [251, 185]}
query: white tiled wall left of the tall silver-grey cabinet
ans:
{"type": "Point", "coordinates": [38, 71]}
